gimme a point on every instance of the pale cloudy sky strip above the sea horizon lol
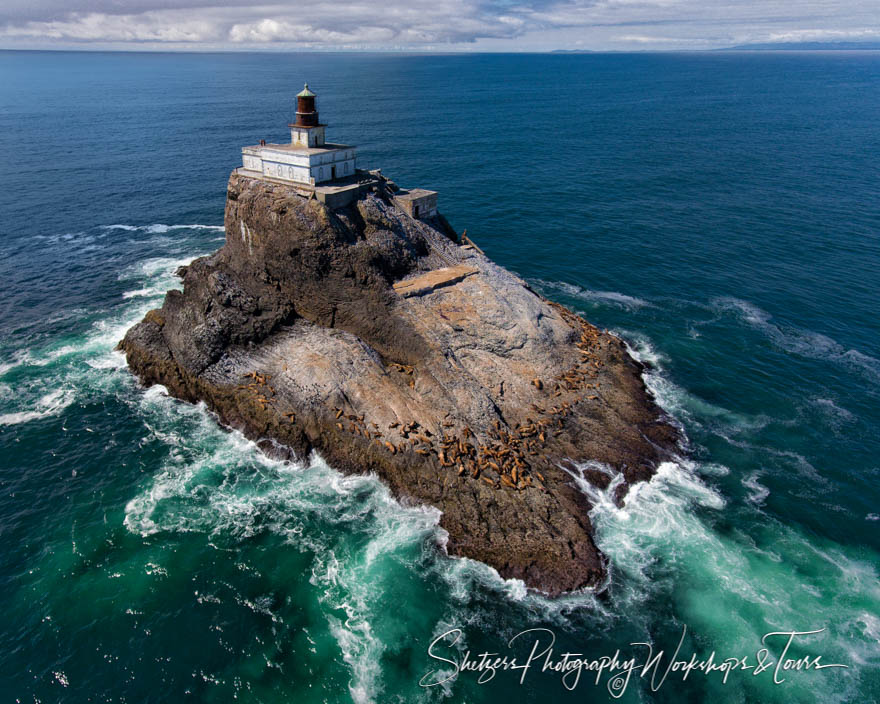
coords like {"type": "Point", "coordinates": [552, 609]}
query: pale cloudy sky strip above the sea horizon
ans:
{"type": "Point", "coordinates": [430, 25]}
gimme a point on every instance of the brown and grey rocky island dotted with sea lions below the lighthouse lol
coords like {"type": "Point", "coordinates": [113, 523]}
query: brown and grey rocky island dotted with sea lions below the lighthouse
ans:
{"type": "Point", "coordinates": [380, 342]}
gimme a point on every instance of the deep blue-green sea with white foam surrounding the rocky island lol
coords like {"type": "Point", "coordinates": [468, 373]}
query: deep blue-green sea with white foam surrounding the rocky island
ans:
{"type": "Point", "coordinates": [720, 212]}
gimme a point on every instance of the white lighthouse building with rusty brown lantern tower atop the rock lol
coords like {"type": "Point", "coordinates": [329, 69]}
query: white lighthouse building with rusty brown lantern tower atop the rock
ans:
{"type": "Point", "coordinates": [308, 160]}
